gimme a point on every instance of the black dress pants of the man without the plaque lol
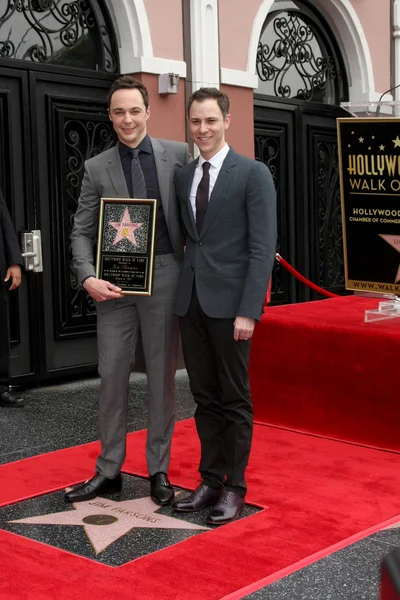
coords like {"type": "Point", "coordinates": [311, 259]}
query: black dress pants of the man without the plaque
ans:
{"type": "Point", "coordinates": [217, 366]}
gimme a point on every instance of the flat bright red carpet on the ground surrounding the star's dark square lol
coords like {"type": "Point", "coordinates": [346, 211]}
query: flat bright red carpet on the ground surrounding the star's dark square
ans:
{"type": "Point", "coordinates": [319, 492]}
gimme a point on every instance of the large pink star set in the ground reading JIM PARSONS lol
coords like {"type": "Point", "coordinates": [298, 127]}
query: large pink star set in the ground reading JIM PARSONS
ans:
{"type": "Point", "coordinates": [105, 521]}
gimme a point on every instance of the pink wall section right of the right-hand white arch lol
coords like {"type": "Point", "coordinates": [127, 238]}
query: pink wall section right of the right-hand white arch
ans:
{"type": "Point", "coordinates": [375, 19]}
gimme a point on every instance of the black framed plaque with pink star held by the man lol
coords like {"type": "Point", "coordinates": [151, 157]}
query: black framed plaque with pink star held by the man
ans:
{"type": "Point", "coordinates": [126, 241]}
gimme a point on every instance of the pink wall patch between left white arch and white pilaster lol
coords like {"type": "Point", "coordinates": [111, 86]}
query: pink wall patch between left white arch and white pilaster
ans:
{"type": "Point", "coordinates": [166, 28]}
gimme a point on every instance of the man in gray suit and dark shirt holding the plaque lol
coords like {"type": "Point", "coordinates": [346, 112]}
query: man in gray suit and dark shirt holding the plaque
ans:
{"type": "Point", "coordinates": [137, 167]}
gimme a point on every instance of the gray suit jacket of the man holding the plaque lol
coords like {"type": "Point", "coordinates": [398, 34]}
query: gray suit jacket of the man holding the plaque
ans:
{"type": "Point", "coordinates": [104, 178]}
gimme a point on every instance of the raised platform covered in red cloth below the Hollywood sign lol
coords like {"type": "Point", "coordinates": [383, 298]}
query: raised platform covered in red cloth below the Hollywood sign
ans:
{"type": "Point", "coordinates": [317, 367]}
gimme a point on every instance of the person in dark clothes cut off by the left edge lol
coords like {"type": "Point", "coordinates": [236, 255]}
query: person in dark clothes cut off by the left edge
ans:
{"type": "Point", "coordinates": [10, 279]}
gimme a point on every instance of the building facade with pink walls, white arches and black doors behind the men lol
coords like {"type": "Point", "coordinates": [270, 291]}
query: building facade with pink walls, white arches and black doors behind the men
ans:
{"type": "Point", "coordinates": [287, 65]}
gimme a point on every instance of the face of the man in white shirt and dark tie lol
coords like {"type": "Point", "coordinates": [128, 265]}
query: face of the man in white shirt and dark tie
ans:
{"type": "Point", "coordinates": [207, 127]}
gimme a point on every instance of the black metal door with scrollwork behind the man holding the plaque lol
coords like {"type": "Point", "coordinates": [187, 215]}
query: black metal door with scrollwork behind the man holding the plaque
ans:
{"type": "Point", "coordinates": [53, 124]}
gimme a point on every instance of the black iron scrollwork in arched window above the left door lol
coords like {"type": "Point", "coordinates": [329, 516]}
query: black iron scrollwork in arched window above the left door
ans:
{"type": "Point", "coordinates": [52, 28]}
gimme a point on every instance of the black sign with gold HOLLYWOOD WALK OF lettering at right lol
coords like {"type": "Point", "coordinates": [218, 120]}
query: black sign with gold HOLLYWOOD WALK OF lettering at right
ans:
{"type": "Point", "coordinates": [369, 159]}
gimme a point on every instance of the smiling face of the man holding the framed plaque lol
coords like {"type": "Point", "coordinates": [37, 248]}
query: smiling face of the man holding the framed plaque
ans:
{"type": "Point", "coordinates": [129, 116]}
